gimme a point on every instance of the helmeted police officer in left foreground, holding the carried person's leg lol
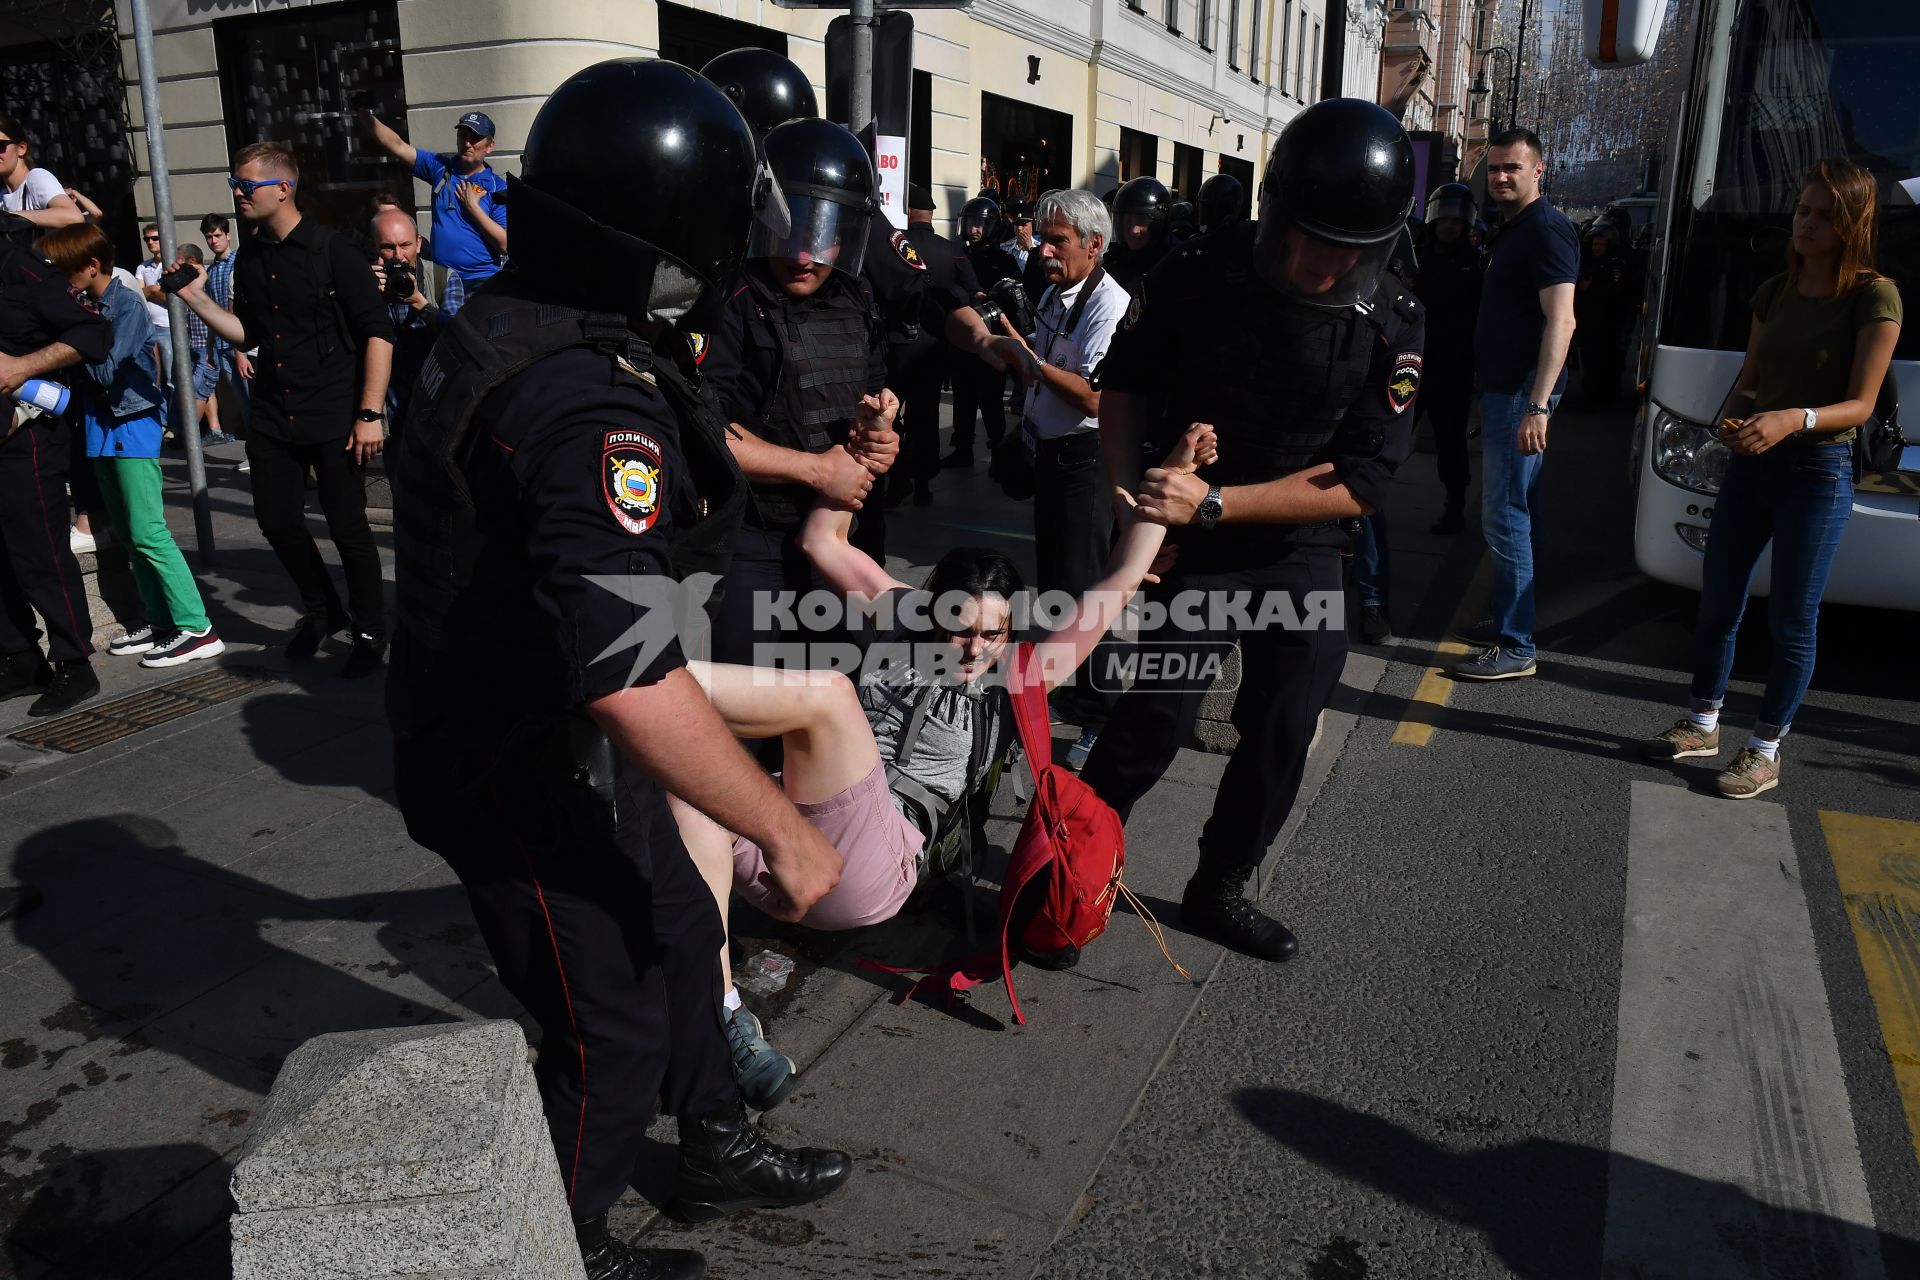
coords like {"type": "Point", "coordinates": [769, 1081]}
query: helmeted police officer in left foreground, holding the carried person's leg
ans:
{"type": "Point", "coordinates": [562, 473]}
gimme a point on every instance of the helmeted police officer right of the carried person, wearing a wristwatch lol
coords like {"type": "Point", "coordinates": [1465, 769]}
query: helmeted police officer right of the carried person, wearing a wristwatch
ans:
{"type": "Point", "coordinates": [1305, 354]}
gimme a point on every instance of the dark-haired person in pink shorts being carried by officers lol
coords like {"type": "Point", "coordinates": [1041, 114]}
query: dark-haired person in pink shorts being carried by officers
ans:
{"type": "Point", "coordinates": [886, 769]}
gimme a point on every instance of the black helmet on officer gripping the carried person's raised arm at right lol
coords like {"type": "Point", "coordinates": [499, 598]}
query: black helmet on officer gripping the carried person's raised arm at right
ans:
{"type": "Point", "coordinates": [1341, 181]}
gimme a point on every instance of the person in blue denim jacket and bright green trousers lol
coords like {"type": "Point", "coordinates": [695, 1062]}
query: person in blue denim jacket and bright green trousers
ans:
{"type": "Point", "coordinates": [126, 421]}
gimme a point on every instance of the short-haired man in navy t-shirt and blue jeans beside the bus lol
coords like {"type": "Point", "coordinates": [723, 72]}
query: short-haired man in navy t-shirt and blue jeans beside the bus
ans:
{"type": "Point", "coordinates": [1520, 352]}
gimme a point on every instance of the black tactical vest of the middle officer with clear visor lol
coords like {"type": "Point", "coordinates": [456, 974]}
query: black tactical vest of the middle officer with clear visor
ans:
{"type": "Point", "coordinates": [825, 348]}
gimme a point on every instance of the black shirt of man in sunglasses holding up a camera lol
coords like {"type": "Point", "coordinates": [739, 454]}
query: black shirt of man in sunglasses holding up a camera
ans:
{"type": "Point", "coordinates": [310, 304]}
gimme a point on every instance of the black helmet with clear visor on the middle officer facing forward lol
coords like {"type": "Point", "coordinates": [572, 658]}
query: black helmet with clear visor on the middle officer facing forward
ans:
{"type": "Point", "coordinates": [828, 183]}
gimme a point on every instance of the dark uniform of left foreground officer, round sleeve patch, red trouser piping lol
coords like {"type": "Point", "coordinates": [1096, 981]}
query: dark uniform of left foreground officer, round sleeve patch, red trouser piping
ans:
{"type": "Point", "coordinates": [590, 905]}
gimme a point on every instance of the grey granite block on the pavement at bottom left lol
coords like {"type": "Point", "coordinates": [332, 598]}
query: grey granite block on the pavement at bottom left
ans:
{"type": "Point", "coordinates": [402, 1152]}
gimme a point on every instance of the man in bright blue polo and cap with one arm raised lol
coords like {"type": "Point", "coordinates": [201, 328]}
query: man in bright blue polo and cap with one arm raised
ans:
{"type": "Point", "coordinates": [469, 224]}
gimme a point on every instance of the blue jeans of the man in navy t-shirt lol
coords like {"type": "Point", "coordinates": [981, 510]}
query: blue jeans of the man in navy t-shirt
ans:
{"type": "Point", "coordinates": [1510, 502]}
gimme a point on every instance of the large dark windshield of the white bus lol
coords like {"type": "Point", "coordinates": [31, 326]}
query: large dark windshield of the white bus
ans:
{"type": "Point", "coordinates": [1777, 87]}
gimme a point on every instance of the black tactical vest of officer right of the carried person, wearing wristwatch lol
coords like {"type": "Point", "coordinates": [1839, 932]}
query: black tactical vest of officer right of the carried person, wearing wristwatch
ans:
{"type": "Point", "coordinates": [1272, 375]}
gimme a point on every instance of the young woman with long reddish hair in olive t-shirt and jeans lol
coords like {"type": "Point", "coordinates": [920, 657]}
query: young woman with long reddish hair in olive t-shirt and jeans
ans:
{"type": "Point", "coordinates": [1819, 350]}
